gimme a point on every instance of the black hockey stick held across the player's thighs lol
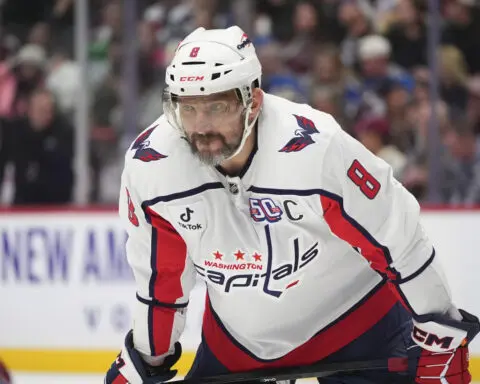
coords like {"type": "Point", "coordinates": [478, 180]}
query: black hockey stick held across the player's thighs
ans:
{"type": "Point", "coordinates": [393, 364]}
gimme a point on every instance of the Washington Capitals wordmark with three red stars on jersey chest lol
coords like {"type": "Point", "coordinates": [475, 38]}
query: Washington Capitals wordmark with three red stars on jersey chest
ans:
{"type": "Point", "coordinates": [274, 281]}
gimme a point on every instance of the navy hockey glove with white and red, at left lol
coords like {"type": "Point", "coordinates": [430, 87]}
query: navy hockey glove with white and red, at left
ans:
{"type": "Point", "coordinates": [129, 367]}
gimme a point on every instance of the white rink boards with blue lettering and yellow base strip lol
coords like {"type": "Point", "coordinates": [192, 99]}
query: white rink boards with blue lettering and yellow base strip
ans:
{"type": "Point", "coordinates": [67, 290]}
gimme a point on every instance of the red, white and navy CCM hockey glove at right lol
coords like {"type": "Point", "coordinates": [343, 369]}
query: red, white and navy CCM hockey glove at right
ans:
{"type": "Point", "coordinates": [440, 354]}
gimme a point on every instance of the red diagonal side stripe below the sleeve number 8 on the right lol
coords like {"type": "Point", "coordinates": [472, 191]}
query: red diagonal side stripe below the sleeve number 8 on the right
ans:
{"type": "Point", "coordinates": [347, 229]}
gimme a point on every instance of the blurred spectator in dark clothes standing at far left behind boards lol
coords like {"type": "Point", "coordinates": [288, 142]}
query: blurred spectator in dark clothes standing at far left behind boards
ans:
{"type": "Point", "coordinates": [42, 153]}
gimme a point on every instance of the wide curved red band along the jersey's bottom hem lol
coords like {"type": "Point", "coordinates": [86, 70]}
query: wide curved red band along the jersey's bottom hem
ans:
{"type": "Point", "coordinates": [236, 358]}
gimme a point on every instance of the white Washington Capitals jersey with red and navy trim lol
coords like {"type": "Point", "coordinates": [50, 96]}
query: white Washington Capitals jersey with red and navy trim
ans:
{"type": "Point", "coordinates": [302, 252]}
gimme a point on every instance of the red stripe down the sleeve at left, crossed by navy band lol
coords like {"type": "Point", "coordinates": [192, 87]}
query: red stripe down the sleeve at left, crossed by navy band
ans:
{"type": "Point", "coordinates": [169, 253]}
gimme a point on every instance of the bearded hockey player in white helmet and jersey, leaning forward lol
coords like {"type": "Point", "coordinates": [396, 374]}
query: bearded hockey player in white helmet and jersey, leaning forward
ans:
{"type": "Point", "coordinates": [310, 249]}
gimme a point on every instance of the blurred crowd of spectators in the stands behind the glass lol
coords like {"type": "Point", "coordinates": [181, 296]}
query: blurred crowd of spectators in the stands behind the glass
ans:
{"type": "Point", "coordinates": [364, 61]}
